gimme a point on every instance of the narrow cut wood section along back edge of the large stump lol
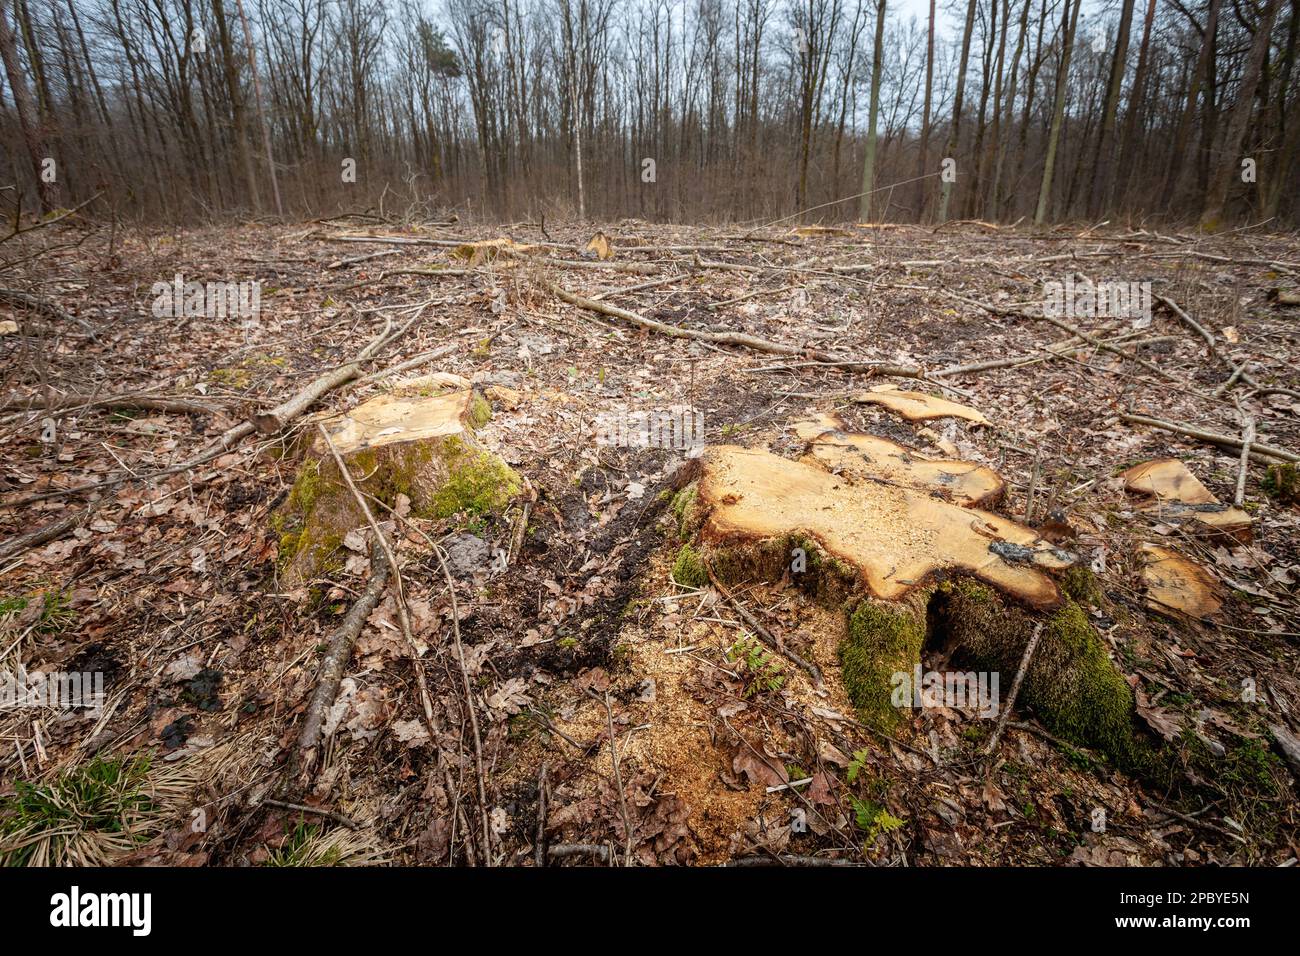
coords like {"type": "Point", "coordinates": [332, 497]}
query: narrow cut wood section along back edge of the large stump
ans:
{"type": "Point", "coordinates": [869, 457]}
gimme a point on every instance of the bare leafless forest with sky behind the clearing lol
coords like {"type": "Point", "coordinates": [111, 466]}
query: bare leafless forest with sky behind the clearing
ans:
{"type": "Point", "coordinates": [181, 111]}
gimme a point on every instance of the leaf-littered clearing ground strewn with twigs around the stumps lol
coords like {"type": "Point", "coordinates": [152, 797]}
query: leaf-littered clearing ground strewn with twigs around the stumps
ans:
{"type": "Point", "coordinates": [616, 720]}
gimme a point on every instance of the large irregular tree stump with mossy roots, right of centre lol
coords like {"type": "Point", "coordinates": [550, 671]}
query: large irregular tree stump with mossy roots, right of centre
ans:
{"type": "Point", "coordinates": [886, 540]}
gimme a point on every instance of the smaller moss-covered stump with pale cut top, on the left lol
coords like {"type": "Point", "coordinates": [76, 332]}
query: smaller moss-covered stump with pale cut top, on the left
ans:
{"type": "Point", "coordinates": [406, 444]}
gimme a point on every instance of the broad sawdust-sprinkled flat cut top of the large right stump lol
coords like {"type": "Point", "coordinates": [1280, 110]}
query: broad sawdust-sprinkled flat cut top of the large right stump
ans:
{"type": "Point", "coordinates": [895, 538]}
